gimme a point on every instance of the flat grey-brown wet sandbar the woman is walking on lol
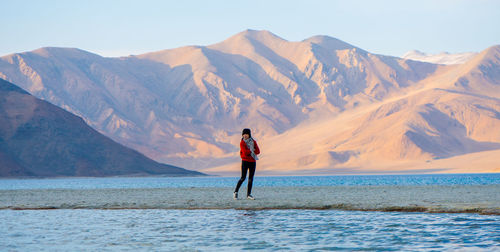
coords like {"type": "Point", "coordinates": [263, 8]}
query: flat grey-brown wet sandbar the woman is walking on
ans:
{"type": "Point", "coordinates": [483, 199]}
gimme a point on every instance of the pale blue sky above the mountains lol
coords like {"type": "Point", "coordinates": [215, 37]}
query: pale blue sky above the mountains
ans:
{"type": "Point", "coordinates": [120, 28]}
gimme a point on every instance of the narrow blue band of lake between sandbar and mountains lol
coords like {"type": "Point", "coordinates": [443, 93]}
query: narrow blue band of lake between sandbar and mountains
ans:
{"type": "Point", "coordinates": [162, 182]}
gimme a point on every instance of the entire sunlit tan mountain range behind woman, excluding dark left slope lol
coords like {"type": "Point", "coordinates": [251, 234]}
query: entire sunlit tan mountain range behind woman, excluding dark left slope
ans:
{"type": "Point", "coordinates": [316, 106]}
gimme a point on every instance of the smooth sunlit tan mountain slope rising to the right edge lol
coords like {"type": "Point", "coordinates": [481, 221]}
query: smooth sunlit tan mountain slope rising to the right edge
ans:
{"type": "Point", "coordinates": [445, 123]}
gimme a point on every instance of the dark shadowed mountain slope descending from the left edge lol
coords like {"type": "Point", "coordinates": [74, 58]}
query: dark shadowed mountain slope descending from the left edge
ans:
{"type": "Point", "coordinates": [38, 139]}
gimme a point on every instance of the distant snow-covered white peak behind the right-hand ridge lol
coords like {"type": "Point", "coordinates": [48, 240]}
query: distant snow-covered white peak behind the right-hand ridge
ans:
{"type": "Point", "coordinates": [440, 58]}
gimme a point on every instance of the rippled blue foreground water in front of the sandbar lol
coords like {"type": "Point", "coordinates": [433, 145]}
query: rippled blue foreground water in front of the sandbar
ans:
{"type": "Point", "coordinates": [230, 230]}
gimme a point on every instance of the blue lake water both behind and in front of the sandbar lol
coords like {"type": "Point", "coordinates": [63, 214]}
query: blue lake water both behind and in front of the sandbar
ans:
{"type": "Point", "coordinates": [235, 230]}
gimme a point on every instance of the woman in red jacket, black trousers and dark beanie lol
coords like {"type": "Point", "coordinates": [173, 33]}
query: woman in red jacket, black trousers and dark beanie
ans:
{"type": "Point", "coordinates": [248, 152]}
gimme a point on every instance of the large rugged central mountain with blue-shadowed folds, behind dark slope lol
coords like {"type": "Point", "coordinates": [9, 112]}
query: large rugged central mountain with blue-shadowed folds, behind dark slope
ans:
{"type": "Point", "coordinates": [186, 106]}
